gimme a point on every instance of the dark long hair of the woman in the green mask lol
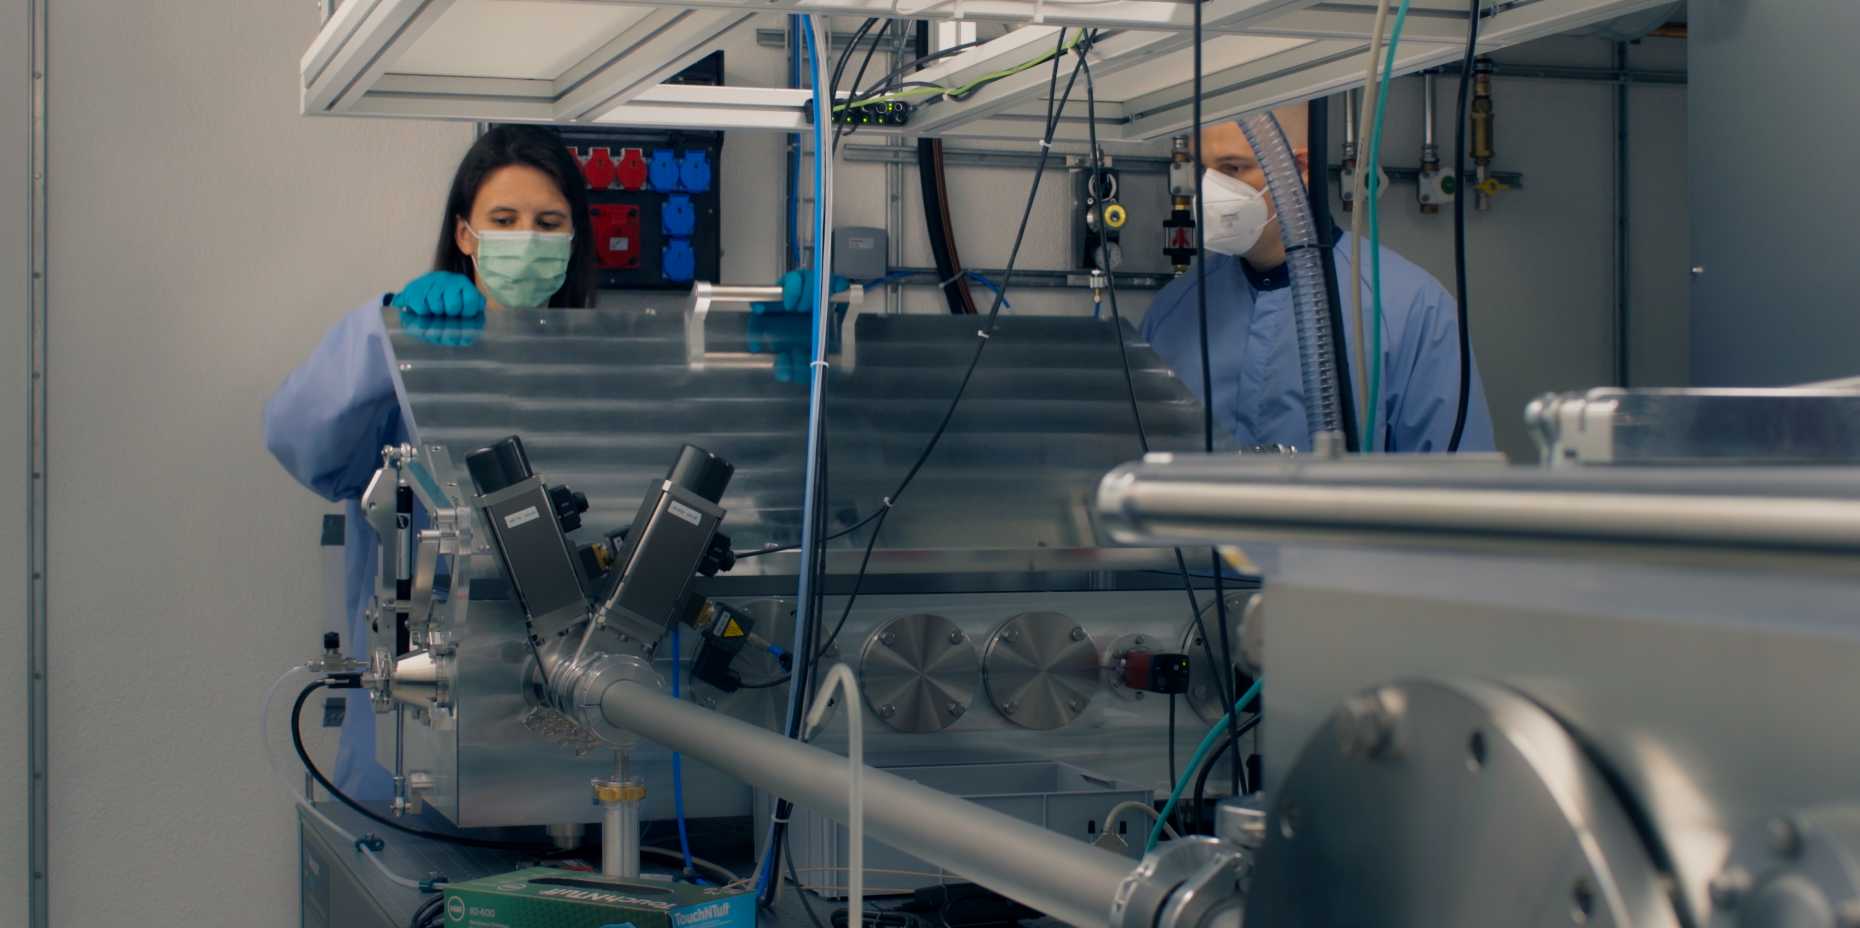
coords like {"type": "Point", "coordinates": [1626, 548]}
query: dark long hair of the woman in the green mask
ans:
{"type": "Point", "coordinates": [542, 150]}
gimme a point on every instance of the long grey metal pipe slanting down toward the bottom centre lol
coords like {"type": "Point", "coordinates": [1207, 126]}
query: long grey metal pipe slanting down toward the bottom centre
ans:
{"type": "Point", "coordinates": [1061, 877]}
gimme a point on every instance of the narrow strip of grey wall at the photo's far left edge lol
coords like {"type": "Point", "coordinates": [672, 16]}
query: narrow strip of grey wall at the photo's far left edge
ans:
{"type": "Point", "coordinates": [16, 181]}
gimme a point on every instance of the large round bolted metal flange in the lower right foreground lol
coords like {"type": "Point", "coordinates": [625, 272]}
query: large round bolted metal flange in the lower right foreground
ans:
{"type": "Point", "coordinates": [1452, 804]}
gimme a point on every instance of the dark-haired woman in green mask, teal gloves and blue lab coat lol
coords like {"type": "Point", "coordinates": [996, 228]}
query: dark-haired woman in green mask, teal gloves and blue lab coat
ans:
{"type": "Point", "coordinates": [514, 235]}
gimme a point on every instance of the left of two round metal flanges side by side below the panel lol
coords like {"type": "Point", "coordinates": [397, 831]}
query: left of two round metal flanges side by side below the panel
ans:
{"type": "Point", "coordinates": [918, 674]}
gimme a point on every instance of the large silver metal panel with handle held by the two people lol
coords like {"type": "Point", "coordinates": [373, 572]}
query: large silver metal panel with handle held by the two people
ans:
{"type": "Point", "coordinates": [604, 399]}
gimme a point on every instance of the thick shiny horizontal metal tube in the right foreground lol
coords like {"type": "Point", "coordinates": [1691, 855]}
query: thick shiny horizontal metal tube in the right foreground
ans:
{"type": "Point", "coordinates": [1195, 499]}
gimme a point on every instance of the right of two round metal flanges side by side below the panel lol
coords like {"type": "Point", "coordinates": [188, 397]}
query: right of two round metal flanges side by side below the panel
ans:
{"type": "Point", "coordinates": [1041, 670]}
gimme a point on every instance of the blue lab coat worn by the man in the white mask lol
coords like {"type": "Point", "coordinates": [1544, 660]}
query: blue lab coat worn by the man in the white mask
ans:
{"type": "Point", "coordinates": [1255, 354]}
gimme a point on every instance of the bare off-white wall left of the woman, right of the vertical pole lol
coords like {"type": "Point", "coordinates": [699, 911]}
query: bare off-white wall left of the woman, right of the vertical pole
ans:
{"type": "Point", "coordinates": [204, 237]}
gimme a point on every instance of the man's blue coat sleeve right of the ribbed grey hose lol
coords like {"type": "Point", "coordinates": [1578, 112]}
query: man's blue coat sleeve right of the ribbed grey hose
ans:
{"type": "Point", "coordinates": [1429, 382]}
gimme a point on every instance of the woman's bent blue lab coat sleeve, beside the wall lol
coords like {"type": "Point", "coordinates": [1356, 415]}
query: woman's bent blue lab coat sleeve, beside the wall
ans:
{"type": "Point", "coordinates": [332, 416]}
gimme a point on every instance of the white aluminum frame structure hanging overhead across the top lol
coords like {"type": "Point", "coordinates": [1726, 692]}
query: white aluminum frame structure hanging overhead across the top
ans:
{"type": "Point", "coordinates": [605, 62]}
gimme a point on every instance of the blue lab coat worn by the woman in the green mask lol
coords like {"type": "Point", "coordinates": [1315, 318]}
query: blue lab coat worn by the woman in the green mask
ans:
{"type": "Point", "coordinates": [326, 425]}
